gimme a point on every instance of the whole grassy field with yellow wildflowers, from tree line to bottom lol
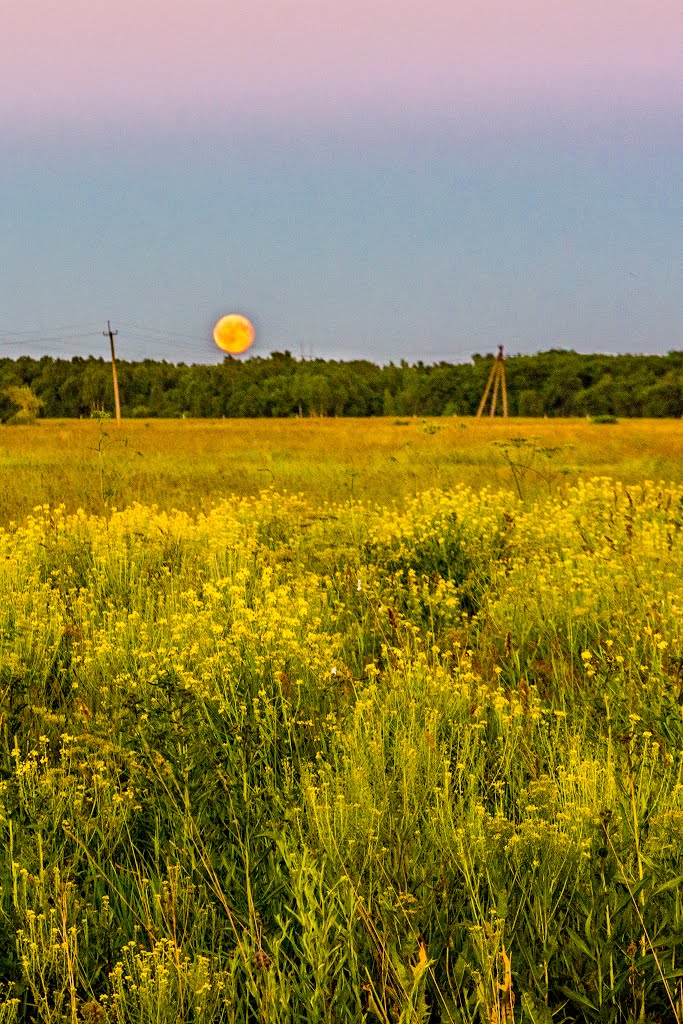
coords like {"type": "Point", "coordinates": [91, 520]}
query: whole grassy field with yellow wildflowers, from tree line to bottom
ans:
{"type": "Point", "coordinates": [331, 721]}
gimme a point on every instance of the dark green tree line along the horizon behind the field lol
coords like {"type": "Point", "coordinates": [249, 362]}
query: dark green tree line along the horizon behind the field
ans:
{"type": "Point", "coordinates": [553, 383]}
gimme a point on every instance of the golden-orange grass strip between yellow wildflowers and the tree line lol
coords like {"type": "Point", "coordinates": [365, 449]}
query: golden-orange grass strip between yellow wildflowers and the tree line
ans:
{"type": "Point", "coordinates": [194, 463]}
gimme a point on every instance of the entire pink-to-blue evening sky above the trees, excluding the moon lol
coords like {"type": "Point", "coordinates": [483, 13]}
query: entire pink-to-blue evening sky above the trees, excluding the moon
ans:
{"type": "Point", "coordinates": [380, 180]}
